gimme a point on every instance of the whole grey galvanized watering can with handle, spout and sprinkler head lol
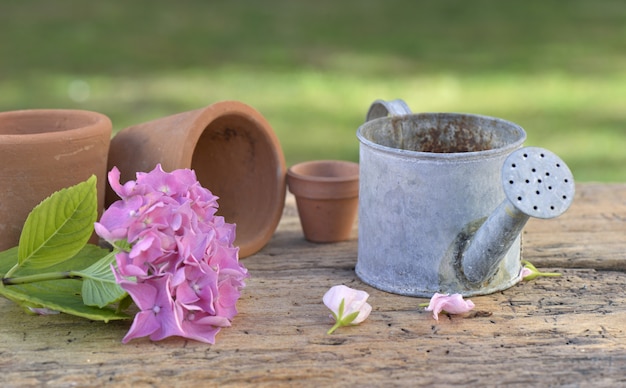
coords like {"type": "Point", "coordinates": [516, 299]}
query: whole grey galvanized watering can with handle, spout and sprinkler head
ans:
{"type": "Point", "coordinates": [443, 199]}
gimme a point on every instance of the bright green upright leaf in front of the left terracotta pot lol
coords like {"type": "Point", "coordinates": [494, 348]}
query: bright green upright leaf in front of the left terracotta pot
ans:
{"type": "Point", "coordinates": [59, 226]}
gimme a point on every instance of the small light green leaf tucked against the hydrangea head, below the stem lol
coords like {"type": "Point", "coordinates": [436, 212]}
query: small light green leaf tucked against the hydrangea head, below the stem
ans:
{"type": "Point", "coordinates": [99, 285]}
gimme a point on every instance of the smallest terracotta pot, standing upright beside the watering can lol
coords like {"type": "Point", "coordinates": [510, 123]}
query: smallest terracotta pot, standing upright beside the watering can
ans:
{"type": "Point", "coordinates": [327, 196]}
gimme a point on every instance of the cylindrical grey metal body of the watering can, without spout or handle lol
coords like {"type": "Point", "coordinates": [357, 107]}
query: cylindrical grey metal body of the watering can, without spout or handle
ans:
{"type": "Point", "coordinates": [428, 181]}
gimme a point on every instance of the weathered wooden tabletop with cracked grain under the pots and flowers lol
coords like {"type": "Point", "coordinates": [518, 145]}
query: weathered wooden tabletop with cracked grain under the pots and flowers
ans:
{"type": "Point", "coordinates": [569, 330]}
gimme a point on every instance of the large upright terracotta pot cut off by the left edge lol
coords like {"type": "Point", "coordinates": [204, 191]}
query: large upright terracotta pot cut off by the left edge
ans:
{"type": "Point", "coordinates": [45, 150]}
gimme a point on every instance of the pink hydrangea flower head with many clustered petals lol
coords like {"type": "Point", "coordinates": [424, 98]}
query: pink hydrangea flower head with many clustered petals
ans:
{"type": "Point", "coordinates": [175, 257]}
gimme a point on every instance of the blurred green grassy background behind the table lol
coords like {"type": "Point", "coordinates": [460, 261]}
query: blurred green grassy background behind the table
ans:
{"type": "Point", "coordinates": [557, 68]}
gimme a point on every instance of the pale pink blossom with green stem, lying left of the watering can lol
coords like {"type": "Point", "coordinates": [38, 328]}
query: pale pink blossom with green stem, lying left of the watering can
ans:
{"type": "Point", "coordinates": [348, 306]}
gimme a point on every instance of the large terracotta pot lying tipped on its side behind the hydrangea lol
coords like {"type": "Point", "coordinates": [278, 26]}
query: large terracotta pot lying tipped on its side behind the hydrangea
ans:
{"type": "Point", "coordinates": [233, 151]}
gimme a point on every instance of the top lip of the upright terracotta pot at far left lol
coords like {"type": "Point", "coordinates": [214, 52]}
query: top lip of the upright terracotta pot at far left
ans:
{"type": "Point", "coordinates": [93, 121]}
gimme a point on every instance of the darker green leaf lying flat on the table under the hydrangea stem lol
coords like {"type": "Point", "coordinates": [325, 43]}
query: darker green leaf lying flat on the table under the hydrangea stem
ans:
{"type": "Point", "coordinates": [59, 295]}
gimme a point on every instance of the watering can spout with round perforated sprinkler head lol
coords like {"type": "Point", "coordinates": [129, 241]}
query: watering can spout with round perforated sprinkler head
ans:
{"type": "Point", "coordinates": [537, 184]}
